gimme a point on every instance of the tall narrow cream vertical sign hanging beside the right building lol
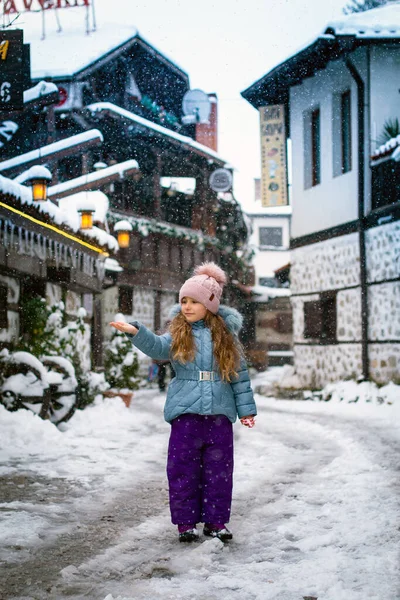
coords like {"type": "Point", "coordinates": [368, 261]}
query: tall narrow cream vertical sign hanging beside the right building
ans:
{"type": "Point", "coordinates": [273, 156]}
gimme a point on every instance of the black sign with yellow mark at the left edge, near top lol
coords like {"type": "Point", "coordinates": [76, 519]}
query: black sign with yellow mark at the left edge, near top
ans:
{"type": "Point", "coordinates": [11, 70]}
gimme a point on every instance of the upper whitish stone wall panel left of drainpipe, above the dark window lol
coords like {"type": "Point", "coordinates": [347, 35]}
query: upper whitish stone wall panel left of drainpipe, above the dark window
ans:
{"type": "Point", "coordinates": [328, 265]}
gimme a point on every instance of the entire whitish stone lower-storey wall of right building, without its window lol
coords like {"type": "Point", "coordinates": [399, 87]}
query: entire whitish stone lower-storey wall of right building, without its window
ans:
{"type": "Point", "coordinates": [334, 265]}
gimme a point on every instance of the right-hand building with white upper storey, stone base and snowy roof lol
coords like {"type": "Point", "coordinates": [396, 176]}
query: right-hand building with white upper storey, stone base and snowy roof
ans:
{"type": "Point", "coordinates": [340, 95]}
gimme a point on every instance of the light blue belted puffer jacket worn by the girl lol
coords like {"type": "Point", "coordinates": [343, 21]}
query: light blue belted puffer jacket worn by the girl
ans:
{"type": "Point", "coordinates": [186, 393]}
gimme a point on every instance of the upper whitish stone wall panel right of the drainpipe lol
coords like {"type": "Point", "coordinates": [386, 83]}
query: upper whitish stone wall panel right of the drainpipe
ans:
{"type": "Point", "coordinates": [383, 252]}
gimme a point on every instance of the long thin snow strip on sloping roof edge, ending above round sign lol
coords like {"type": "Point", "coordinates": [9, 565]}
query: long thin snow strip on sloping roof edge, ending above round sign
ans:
{"type": "Point", "coordinates": [108, 107]}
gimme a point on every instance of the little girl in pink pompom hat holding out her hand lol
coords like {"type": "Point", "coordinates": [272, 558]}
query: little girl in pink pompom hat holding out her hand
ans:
{"type": "Point", "coordinates": [210, 389]}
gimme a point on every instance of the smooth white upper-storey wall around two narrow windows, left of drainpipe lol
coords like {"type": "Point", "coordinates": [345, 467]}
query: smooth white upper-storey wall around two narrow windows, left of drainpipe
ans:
{"type": "Point", "coordinates": [334, 200]}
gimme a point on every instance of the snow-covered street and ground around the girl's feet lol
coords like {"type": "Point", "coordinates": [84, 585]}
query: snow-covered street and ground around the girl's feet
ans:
{"type": "Point", "coordinates": [315, 512]}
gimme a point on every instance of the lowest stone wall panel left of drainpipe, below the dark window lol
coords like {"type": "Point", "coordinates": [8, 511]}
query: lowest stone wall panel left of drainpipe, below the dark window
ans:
{"type": "Point", "coordinates": [318, 365]}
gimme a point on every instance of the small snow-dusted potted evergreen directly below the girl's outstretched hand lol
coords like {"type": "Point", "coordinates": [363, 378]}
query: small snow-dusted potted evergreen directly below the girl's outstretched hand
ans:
{"type": "Point", "coordinates": [120, 361]}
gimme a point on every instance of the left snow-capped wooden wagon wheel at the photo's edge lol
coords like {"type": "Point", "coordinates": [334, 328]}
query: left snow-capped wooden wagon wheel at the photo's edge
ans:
{"type": "Point", "coordinates": [24, 384]}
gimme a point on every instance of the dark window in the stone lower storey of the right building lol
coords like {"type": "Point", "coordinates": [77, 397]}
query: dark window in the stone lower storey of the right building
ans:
{"type": "Point", "coordinates": [320, 318]}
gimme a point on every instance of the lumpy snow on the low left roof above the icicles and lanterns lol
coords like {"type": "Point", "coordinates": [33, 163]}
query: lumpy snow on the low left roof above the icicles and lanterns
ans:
{"type": "Point", "coordinates": [59, 216]}
